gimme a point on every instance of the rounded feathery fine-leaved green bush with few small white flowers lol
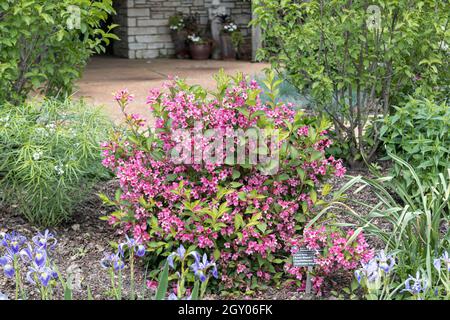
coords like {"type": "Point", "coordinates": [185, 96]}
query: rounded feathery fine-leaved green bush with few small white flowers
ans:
{"type": "Point", "coordinates": [49, 157]}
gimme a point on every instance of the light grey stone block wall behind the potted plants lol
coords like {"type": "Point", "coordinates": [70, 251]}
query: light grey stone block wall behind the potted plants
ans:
{"type": "Point", "coordinates": [144, 30]}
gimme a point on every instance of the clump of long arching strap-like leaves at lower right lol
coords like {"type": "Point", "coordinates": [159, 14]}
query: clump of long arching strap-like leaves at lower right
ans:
{"type": "Point", "coordinates": [414, 231]}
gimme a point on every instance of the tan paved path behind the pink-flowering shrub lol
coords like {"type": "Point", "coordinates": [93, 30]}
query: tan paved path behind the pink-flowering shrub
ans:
{"type": "Point", "coordinates": [105, 75]}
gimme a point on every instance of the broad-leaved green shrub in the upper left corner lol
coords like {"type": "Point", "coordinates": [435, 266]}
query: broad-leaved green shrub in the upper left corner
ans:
{"type": "Point", "coordinates": [44, 48]}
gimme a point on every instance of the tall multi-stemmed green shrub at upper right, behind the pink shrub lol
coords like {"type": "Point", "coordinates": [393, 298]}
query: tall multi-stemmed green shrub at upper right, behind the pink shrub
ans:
{"type": "Point", "coordinates": [355, 72]}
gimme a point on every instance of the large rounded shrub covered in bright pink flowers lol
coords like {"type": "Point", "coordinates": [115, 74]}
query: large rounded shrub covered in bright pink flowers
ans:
{"type": "Point", "coordinates": [248, 218]}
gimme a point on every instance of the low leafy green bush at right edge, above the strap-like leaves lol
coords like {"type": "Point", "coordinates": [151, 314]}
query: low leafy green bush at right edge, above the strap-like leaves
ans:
{"type": "Point", "coordinates": [418, 133]}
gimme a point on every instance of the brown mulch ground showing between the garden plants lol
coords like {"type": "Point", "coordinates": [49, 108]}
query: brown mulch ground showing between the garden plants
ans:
{"type": "Point", "coordinates": [83, 242]}
